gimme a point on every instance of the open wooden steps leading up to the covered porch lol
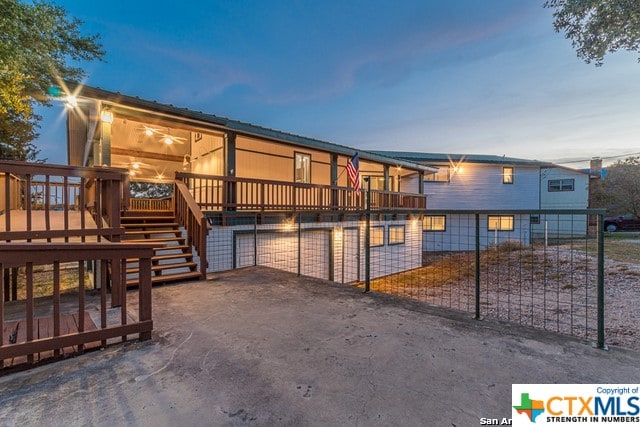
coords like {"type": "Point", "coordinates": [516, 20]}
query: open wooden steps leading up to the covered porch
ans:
{"type": "Point", "coordinates": [172, 258]}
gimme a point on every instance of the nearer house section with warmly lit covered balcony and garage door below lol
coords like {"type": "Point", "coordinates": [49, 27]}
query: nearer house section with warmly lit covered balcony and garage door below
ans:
{"type": "Point", "coordinates": [260, 190]}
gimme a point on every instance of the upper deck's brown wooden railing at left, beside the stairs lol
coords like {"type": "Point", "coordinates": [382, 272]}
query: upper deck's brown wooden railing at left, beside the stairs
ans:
{"type": "Point", "coordinates": [55, 203]}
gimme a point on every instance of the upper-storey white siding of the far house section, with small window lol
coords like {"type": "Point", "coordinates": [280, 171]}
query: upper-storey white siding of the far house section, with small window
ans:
{"type": "Point", "coordinates": [479, 186]}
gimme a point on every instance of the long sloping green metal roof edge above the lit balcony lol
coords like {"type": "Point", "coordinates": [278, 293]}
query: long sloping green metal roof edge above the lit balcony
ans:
{"type": "Point", "coordinates": [84, 91]}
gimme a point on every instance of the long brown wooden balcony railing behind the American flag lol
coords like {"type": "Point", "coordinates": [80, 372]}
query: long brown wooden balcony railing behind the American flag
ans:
{"type": "Point", "coordinates": [219, 193]}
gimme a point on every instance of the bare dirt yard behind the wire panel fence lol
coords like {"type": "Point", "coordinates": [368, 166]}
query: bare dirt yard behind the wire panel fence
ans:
{"type": "Point", "coordinates": [553, 288]}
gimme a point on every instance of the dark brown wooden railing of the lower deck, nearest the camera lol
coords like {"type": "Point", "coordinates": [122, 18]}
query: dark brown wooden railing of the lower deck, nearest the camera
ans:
{"type": "Point", "coordinates": [33, 336]}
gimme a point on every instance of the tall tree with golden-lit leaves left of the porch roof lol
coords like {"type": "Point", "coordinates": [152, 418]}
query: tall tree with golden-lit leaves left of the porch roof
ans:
{"type": "Point", "coordinates": [38, 44]}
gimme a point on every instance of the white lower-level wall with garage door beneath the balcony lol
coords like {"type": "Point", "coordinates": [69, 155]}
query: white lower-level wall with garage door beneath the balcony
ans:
{"type": "Point", "coordinates": [278, 248]}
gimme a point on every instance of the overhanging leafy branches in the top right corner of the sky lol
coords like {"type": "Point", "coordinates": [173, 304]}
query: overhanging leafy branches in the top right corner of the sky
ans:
{"type": "Point", "coordinates": [598, 27]}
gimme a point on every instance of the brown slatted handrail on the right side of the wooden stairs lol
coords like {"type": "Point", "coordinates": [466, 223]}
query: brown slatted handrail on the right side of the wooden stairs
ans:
{"type": "Point", "coordinates": [189, 215]}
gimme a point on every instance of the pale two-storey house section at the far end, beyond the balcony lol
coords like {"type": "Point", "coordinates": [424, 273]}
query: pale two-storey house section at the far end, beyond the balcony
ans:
{"type": "Point", "coordinates": [503, 185]}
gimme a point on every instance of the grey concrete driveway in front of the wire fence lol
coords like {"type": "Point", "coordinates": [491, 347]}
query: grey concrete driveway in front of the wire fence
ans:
{"type": "Point", "coordinates": [263, 347]}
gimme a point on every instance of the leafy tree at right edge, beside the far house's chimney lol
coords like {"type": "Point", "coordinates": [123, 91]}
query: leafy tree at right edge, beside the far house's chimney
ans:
{"type": "Point", "coordinates": [621, 187]}
